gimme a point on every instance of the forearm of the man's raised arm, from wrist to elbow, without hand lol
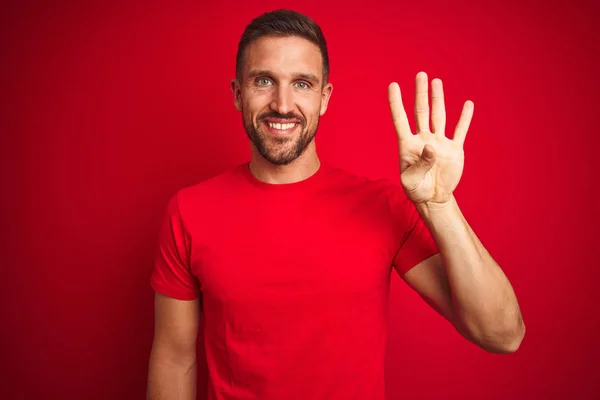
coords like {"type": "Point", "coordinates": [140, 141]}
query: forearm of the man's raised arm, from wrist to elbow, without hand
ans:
{"type": "Point", "coordinates": [483, 297]}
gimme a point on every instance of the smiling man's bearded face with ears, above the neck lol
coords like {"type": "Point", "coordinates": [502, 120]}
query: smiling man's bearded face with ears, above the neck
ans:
{"type": "Point", "coordinates": [281, 96]}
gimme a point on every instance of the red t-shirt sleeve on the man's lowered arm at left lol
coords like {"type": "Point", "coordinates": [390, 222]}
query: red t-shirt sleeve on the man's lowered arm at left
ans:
{"type": "Point", "coordinates": [172, 275]}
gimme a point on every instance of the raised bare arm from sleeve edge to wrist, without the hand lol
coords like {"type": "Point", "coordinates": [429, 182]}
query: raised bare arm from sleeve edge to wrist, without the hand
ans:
{"type": "Point", "coordinates": [465, 285]}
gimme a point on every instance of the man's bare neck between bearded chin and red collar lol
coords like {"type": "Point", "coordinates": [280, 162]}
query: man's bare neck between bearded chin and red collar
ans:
{"type": "Point", "coordinates": [298, 170]}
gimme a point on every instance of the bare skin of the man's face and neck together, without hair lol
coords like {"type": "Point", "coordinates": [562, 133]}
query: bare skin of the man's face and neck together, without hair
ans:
{"type": "Point", "coordinates": [282, 77]}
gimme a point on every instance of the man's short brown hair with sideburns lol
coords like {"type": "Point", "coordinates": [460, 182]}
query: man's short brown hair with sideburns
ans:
{"type": "Point", "coordinates": [282, 23]}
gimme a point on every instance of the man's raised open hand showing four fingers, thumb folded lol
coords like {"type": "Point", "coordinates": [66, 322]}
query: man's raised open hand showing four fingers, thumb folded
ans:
{"type": "Point", "coordinates": [429, 180]}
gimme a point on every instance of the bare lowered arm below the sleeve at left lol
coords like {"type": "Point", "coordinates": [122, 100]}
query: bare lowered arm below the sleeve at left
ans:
{"type": "Point", "coordinates": [172, 370]}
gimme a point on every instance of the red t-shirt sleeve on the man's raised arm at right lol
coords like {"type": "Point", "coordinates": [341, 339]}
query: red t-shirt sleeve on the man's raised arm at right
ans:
{"type": "Point", "coordinates": [414, 240]}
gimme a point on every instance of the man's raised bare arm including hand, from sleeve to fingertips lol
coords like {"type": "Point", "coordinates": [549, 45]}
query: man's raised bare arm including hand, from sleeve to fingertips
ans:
{"type": "Point", "coordinates": [463, 283]}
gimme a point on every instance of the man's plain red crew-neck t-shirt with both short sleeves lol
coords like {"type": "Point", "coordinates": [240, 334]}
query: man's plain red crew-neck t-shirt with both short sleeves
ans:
{"type": "Point", "coordinates": [294, 279]}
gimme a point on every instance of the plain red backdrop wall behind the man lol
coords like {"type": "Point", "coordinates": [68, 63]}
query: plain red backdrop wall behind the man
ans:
{"type": "Point", "coordinates": [110, 108]}
